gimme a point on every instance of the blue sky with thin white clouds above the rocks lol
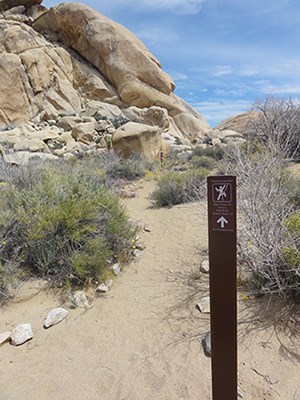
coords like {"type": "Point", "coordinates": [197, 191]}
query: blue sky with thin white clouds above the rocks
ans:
{"type": "Point", "coordinates": [222, 54]}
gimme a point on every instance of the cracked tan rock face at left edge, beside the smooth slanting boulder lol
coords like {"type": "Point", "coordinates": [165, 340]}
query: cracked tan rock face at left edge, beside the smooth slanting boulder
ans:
{"type": "Point", "coordinates": [38, 76]}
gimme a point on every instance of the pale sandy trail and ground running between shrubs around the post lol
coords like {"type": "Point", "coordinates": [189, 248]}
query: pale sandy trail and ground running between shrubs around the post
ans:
{"type": "Point", "coordinates": [142, 341]}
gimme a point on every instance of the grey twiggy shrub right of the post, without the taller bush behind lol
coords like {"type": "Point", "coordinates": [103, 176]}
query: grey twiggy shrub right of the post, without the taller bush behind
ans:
{"type": "Point", "coordinates": [268, 236]}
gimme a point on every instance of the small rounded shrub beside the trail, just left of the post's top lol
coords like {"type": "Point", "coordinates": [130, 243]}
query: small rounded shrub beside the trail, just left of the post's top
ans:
{"type": "Point", "coordinates": [179, 187]}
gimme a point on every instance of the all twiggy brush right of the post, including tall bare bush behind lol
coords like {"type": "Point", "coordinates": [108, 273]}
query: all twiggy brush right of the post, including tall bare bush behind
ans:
{"type": "Point", "coordinates": [268, 199]}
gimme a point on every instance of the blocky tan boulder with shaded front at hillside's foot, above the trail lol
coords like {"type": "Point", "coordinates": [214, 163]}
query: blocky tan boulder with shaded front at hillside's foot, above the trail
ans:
{"type": "Point", "coordinates": [138, 138]}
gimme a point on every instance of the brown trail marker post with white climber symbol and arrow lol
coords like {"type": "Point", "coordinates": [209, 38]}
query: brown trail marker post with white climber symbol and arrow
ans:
{"type": "Point", "coordinates": [223, 302]}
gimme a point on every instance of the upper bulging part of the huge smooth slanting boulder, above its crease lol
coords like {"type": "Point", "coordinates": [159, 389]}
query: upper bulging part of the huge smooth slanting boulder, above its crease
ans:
{"type": "Point", "coordinates": [111, 48]}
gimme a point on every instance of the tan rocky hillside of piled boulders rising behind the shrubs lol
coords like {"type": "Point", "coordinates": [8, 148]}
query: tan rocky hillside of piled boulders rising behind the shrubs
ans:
{"type": "Point", "coordinates": [74, 81]}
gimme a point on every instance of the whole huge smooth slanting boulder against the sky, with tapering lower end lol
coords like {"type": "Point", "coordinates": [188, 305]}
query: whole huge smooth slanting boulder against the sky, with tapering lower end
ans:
{"type": "Point", "coordinates": [111, 48]}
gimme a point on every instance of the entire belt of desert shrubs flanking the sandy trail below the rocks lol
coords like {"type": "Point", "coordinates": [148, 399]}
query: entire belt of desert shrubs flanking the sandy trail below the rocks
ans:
{"type": "Point", "coordinates": [64, 220]}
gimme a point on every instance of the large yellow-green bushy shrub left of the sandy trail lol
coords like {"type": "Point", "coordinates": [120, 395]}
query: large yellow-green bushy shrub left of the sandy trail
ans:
{"type": "Point", "coordinates": [61, 221]}
